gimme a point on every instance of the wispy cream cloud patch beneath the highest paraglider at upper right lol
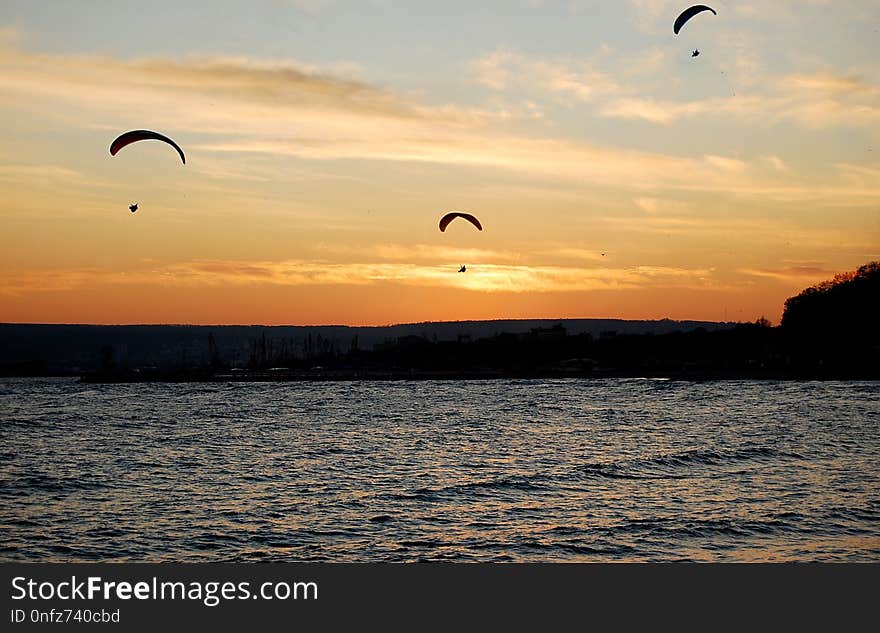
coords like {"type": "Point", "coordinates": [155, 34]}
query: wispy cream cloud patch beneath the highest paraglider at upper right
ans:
{"type": "Point", "coordinates": [634, 85]}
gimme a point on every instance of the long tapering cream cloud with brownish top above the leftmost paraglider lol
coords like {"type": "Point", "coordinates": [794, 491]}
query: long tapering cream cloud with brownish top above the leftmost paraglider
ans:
{"type": "Point", "coordinates": [112, 84]}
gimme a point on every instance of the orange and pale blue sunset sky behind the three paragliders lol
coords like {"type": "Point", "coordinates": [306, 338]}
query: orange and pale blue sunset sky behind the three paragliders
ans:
{"type": "Point", "coordinates": [325, 139]}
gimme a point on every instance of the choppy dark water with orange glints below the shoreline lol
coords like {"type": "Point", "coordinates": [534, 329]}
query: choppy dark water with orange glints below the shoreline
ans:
{"type": "Point", "coordinates": [557, 470]}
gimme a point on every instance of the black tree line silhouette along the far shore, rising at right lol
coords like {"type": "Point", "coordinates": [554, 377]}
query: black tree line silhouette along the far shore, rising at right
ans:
{"type": "Point", "coordinates": [827, 331]}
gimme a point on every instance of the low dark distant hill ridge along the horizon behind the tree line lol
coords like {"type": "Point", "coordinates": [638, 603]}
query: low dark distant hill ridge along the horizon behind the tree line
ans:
{"type": "Point", "coordinates": [29, 349]}
